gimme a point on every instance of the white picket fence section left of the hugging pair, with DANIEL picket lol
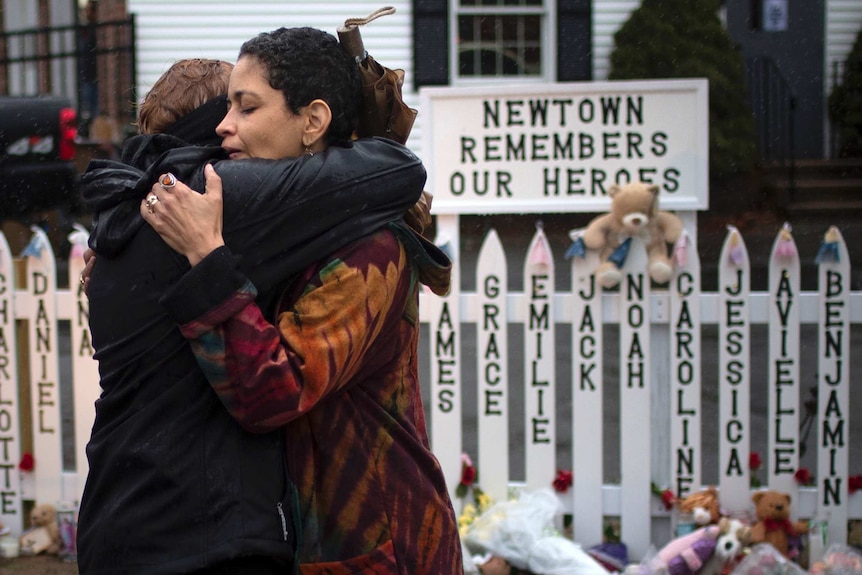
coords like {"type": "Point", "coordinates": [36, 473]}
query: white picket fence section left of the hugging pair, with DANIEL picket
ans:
{"type": "Point", "coordinates": [31, 423]}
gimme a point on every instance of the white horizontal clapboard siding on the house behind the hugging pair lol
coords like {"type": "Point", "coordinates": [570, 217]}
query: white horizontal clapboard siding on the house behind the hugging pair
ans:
{"type": "Point", "coordinates": [172, 29]}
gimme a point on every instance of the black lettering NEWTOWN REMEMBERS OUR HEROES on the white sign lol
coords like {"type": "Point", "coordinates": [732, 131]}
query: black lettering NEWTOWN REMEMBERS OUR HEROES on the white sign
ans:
{"type": "Point", "coordinates": [519, 132]}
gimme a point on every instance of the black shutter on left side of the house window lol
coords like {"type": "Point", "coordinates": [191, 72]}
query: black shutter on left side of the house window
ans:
{"type": "Point", "coordinates": [430, 43]}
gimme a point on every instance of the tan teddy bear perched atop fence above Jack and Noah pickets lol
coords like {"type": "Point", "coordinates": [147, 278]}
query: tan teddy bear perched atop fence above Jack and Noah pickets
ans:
{"type": "Point", "coordinates": [634, 212]}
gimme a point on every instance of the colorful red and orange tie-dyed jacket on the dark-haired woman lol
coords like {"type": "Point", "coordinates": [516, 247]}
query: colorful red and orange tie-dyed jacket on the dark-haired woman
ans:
{"type": "Point", "coordinates": [340, 374]}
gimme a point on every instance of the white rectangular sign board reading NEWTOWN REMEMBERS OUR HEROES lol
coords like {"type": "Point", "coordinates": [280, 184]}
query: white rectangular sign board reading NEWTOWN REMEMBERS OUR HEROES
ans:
{"type": "Point", "coordinates": [544, 148]}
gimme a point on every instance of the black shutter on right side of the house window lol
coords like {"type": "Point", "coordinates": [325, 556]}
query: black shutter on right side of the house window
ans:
{"type": "Point", "coordinates": [574, 40]}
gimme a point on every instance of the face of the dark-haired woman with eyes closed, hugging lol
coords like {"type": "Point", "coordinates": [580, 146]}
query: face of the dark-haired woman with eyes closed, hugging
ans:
{"type": "Point", "coordinates": [258, 123]}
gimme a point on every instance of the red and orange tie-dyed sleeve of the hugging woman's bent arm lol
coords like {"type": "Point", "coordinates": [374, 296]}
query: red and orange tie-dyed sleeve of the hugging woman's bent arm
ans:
{"type": "Point", "coordinates": [268, 375]}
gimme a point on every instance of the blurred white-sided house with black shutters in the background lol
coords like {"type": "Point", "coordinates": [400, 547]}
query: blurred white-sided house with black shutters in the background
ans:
{"type": "Point", "coordinates": [794, 50]}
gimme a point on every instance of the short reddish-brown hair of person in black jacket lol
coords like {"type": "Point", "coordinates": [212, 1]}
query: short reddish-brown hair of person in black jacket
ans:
{"type": "Point", "coordinates": [185, 86]}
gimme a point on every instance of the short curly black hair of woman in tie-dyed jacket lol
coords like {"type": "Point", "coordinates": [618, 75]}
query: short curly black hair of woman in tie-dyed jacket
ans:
{"type": "Point", "coordinates": [306, 64]}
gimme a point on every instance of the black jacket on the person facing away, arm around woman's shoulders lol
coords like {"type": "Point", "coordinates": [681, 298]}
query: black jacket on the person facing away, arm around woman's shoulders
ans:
{"type": "Point", "coordinates": [175, 484]}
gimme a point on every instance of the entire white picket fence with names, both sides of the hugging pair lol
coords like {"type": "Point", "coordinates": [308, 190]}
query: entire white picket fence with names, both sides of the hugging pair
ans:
{"type": "Point", "coordinates": [658, 351]}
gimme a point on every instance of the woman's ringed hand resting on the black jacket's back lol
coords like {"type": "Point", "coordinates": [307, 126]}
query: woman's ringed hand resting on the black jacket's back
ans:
{"type": "Point", "coordinates": [189, 222]}
